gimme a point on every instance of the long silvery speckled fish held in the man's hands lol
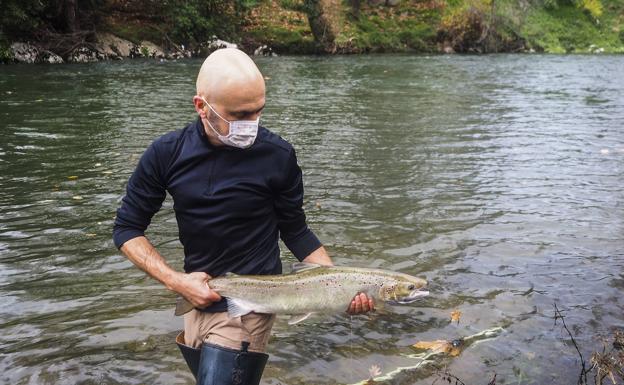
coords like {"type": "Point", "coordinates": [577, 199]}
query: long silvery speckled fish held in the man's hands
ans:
{"type": "Point", "coordinates": [311, 289]}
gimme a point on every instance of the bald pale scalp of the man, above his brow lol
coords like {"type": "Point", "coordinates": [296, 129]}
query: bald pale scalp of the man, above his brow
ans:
{"type": "Point", "coordinates": [226, 71]}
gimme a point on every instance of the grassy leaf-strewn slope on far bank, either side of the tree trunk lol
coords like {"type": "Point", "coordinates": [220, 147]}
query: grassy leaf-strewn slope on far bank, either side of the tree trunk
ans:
{"type": "Point", "coordinates": [451, 25]}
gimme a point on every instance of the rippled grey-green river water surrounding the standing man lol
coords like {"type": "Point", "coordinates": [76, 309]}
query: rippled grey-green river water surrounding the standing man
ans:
{"type": "Point", "coordinates": [498, 178]}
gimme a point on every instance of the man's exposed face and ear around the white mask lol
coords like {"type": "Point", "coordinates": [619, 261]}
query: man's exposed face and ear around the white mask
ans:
{"type": "Point", "coordinates": [233, 102]}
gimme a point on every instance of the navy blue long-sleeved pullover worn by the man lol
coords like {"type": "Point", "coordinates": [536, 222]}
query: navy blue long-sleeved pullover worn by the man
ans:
{"type": "Point", "coordinates": [232, 205]}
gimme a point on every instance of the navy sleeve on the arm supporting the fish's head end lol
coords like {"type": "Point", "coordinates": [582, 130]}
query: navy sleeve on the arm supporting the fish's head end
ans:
{"type": "Point", "coordinates": [290, 215]}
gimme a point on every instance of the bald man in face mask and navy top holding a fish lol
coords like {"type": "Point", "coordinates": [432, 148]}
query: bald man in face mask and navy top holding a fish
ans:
{"type": "Point", "coordinates": [236, 189]}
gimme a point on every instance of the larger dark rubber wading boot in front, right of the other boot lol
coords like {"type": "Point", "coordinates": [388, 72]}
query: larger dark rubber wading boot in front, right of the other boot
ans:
{"type": "Point", "coordinates": [223, 366]}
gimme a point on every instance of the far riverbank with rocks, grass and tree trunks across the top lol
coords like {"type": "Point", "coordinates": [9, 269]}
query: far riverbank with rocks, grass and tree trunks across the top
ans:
{"type": "Point", "coordinates": [123, 29]}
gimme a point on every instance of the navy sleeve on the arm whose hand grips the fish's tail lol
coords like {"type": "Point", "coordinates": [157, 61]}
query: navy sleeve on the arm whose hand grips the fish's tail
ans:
{"type": "Point", "coordinates": [144, 196]}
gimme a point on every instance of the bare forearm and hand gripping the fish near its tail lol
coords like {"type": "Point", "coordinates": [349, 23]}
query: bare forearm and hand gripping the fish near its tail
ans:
{"type": "Point", "coordinates": [192, 286]}
